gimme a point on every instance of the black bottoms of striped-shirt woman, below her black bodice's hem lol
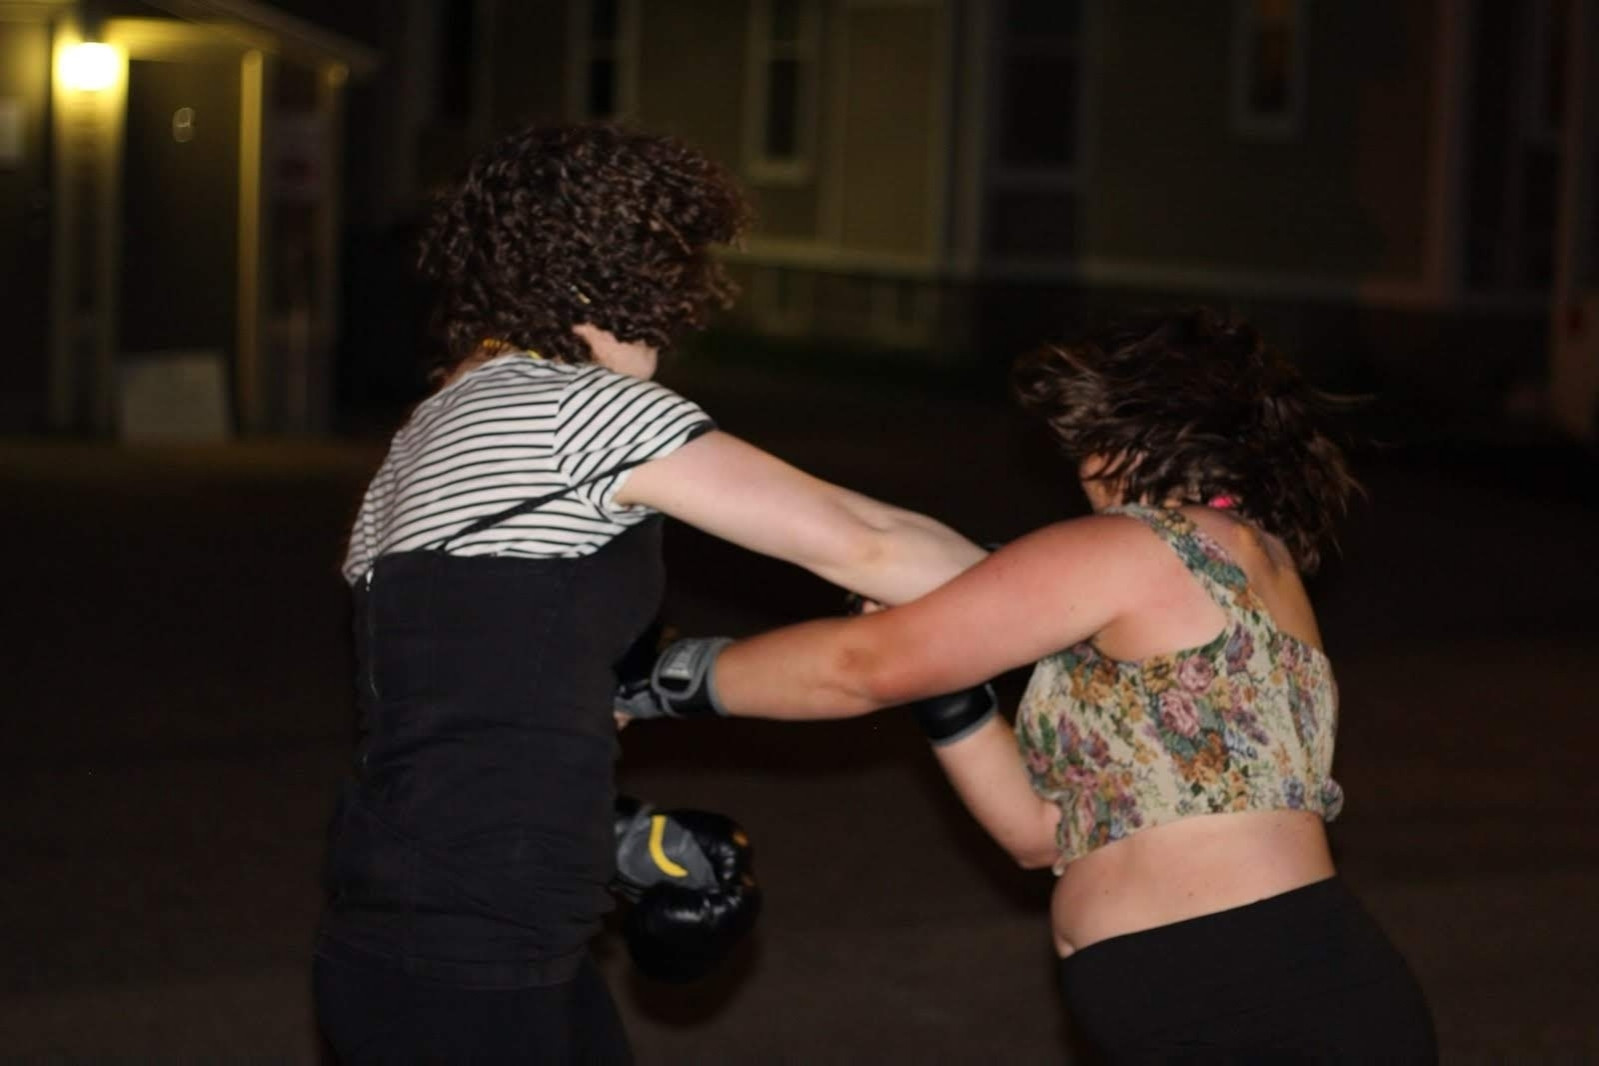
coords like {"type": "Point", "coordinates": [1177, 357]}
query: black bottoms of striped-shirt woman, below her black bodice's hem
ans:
{"type": "Point", "coordinates": [380, 1016]}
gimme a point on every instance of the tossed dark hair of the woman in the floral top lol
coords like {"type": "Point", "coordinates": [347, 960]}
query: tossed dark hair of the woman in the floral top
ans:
{"type": "Point", "coordinates": [1190, 407]}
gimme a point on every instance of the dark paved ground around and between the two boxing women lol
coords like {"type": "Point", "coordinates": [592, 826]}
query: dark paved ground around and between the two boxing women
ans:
{"type": "Point", "coordinates": [177, 717]}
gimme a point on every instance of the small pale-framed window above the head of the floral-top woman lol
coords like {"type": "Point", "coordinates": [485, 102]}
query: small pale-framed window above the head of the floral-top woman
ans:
{"type": "Point", "coordinates": [1269, 68]}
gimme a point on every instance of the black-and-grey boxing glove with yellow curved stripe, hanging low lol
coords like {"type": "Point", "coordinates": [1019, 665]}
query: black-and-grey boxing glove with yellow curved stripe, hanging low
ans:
{"type": "Point", "coordinates": [690, 875]}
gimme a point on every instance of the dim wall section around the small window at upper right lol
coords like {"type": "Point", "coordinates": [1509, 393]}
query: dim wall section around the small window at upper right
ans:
{"type": "Point", "coordinates": [1173, 185]}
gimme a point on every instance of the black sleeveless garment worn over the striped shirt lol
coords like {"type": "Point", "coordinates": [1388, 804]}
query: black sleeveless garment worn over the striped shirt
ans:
{"type": "Point", "coordinates": [474, 843]}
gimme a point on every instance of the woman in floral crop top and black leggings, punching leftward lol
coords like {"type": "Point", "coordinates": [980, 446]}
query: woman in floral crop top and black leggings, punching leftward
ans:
{"type": "Point", "coordinates": [1173, 754]}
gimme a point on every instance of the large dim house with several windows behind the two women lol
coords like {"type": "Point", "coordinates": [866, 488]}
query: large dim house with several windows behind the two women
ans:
{"type": "Point", "coordinates": [1400, 189]}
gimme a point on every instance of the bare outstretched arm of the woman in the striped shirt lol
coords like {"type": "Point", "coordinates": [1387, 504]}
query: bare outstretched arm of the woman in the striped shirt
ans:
{"type": "Point", "coordinates": [743, 495]}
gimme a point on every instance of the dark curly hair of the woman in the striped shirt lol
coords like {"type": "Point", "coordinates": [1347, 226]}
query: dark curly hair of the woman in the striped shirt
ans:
{"type": "Point", "coordinates": [557, 226]}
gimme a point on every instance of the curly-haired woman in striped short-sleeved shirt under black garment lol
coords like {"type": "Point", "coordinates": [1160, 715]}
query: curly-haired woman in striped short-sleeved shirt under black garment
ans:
{"type": "Point", "coordinates": [506, 557]}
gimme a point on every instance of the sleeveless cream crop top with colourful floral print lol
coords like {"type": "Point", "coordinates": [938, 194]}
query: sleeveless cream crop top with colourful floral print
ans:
{"type": "Point", "coordinates": [1242, 723]}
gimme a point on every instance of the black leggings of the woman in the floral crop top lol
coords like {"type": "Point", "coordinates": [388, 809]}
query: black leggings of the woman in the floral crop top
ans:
{"type": "Point", "coordinates": [1302, 977]}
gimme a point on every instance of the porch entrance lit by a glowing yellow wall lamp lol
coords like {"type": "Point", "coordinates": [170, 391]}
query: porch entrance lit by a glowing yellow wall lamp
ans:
{"type": "Point", "coordinates": [170, 205]}
